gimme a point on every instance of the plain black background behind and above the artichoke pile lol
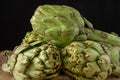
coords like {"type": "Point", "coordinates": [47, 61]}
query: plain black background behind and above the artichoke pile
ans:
{"type": "Point", "coordinates": [15, 16]}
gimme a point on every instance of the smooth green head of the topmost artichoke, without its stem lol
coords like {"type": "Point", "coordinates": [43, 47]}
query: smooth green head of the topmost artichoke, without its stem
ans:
{"type": "Point", "coordinates": [58, 23]}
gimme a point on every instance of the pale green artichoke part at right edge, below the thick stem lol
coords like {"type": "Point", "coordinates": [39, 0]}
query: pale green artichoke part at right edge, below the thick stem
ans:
{"type": "Point", "coordinates": [115, 58]}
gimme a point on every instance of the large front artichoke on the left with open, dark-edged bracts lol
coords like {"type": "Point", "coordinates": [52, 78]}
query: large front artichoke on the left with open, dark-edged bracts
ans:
{"type": "Point", "coordinates": [34, 61]}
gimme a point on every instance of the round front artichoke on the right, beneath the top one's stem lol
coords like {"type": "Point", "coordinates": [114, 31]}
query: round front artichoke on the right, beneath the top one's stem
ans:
{"type": "Point", "coordinates": [86, 60]}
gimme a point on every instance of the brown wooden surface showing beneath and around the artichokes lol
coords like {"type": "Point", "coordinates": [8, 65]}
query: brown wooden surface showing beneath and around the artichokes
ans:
{"type": "Point", "coordinates": [7, 76]}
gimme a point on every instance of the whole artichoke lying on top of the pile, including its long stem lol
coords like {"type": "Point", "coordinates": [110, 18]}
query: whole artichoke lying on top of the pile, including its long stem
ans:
{"type": "Point", "coordinates": [56, 22]}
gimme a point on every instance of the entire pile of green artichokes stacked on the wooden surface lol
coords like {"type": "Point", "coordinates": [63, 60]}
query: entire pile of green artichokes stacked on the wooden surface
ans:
{"type": "Point", "coordinates": [62, 40]}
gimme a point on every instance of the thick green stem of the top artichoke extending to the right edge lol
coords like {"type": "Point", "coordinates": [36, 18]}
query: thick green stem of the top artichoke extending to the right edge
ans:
{"type": "Point", "coordinates": [101, 36]}
